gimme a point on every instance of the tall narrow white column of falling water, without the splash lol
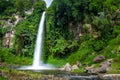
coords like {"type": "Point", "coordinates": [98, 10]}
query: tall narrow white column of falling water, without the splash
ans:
{"type": "Point", "coordinates": [38, 47]}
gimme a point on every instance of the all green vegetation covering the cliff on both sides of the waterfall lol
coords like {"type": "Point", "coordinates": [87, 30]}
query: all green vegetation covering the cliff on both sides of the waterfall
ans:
{"type": "Point", "coordinates": [76, 30]}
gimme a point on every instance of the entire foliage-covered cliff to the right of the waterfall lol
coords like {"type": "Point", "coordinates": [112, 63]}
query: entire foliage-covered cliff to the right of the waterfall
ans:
{"type": "Point", "coordinates": [80, 30]}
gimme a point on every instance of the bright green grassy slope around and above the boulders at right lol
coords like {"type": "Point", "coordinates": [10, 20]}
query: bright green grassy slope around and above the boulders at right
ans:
{"type": "Point", "coordinates": [86, 54]}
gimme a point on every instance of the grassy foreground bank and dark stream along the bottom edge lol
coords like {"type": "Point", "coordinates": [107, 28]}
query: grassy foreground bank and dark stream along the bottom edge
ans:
{"type": "Point", "coordinates": [8, 72]}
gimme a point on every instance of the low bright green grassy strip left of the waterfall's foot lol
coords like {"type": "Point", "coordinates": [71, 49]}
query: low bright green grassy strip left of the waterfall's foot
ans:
{"type": "Point", "coordinates": [7, 57]}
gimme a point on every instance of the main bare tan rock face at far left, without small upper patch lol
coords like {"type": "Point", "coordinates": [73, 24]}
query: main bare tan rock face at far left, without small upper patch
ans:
{"type": "Point", "coordinates": [7, 39]}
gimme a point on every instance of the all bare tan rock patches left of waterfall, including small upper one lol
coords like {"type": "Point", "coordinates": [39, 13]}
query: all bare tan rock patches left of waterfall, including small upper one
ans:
{"type": "Point", "coordinates": [10, 25]}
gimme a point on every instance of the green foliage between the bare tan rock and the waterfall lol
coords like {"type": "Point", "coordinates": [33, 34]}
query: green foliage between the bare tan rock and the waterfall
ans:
{"type": "Point", "coordinates": [26, 30]}
